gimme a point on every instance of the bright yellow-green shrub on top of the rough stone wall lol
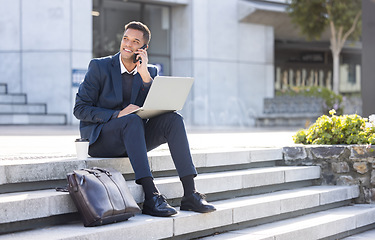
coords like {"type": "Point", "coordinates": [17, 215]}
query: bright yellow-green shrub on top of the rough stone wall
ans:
{"type": "Point", "coordinates": [345, 129]}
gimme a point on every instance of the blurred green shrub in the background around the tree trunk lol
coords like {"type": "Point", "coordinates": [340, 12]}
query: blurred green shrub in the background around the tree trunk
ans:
{"type": "Point", "coordinates": [331, 100]}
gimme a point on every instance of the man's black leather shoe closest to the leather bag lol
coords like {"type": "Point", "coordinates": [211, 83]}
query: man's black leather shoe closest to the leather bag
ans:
{"type": "Point", "coordinates": [158, 206]}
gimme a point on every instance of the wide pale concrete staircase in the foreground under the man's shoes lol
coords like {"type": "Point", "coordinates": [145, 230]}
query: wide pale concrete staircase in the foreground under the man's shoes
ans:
{"type": "Point", "coordinates": [255, 196]}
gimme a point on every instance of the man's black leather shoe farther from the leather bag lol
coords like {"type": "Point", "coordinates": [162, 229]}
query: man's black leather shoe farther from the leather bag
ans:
{"type": "Point", "coordinates": [196, 202]}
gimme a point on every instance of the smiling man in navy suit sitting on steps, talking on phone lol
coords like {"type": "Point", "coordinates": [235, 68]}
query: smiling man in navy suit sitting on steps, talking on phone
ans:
{"type": "Point", "coordinates": [114, 87]}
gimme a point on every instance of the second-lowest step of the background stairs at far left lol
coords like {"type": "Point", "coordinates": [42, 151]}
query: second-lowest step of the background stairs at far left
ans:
{"type": "Point", "coordinates": [8, 108]}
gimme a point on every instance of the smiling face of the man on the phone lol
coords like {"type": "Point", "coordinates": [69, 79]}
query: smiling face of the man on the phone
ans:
{"type": "Point", "coordinates": [131, 42]}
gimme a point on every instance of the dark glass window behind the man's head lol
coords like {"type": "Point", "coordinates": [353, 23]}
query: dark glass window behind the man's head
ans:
{"type": "Point", "coordinates": [110, 17]}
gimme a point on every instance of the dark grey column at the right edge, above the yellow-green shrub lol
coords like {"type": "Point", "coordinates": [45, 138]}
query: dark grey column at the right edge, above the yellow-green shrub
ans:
{"type": "Point", "coordinates": [368, 57]}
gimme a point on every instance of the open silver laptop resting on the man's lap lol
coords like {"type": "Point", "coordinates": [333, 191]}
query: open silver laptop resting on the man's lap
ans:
{"type": "Point", "coordinates": [166, 94]}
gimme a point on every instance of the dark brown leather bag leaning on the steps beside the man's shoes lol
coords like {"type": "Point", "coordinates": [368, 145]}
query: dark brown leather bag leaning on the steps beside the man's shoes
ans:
{"type": "Point", "coordinates": [101, 196]}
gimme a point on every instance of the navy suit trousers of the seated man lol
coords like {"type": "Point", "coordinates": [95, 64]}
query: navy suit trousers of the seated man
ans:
{"type": "Point", "coordinates": [130, 136]}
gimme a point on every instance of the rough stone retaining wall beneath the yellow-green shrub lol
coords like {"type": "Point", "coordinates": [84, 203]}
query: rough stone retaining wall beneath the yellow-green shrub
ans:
{"type": "Point", "coordinates": [340, 165]}
